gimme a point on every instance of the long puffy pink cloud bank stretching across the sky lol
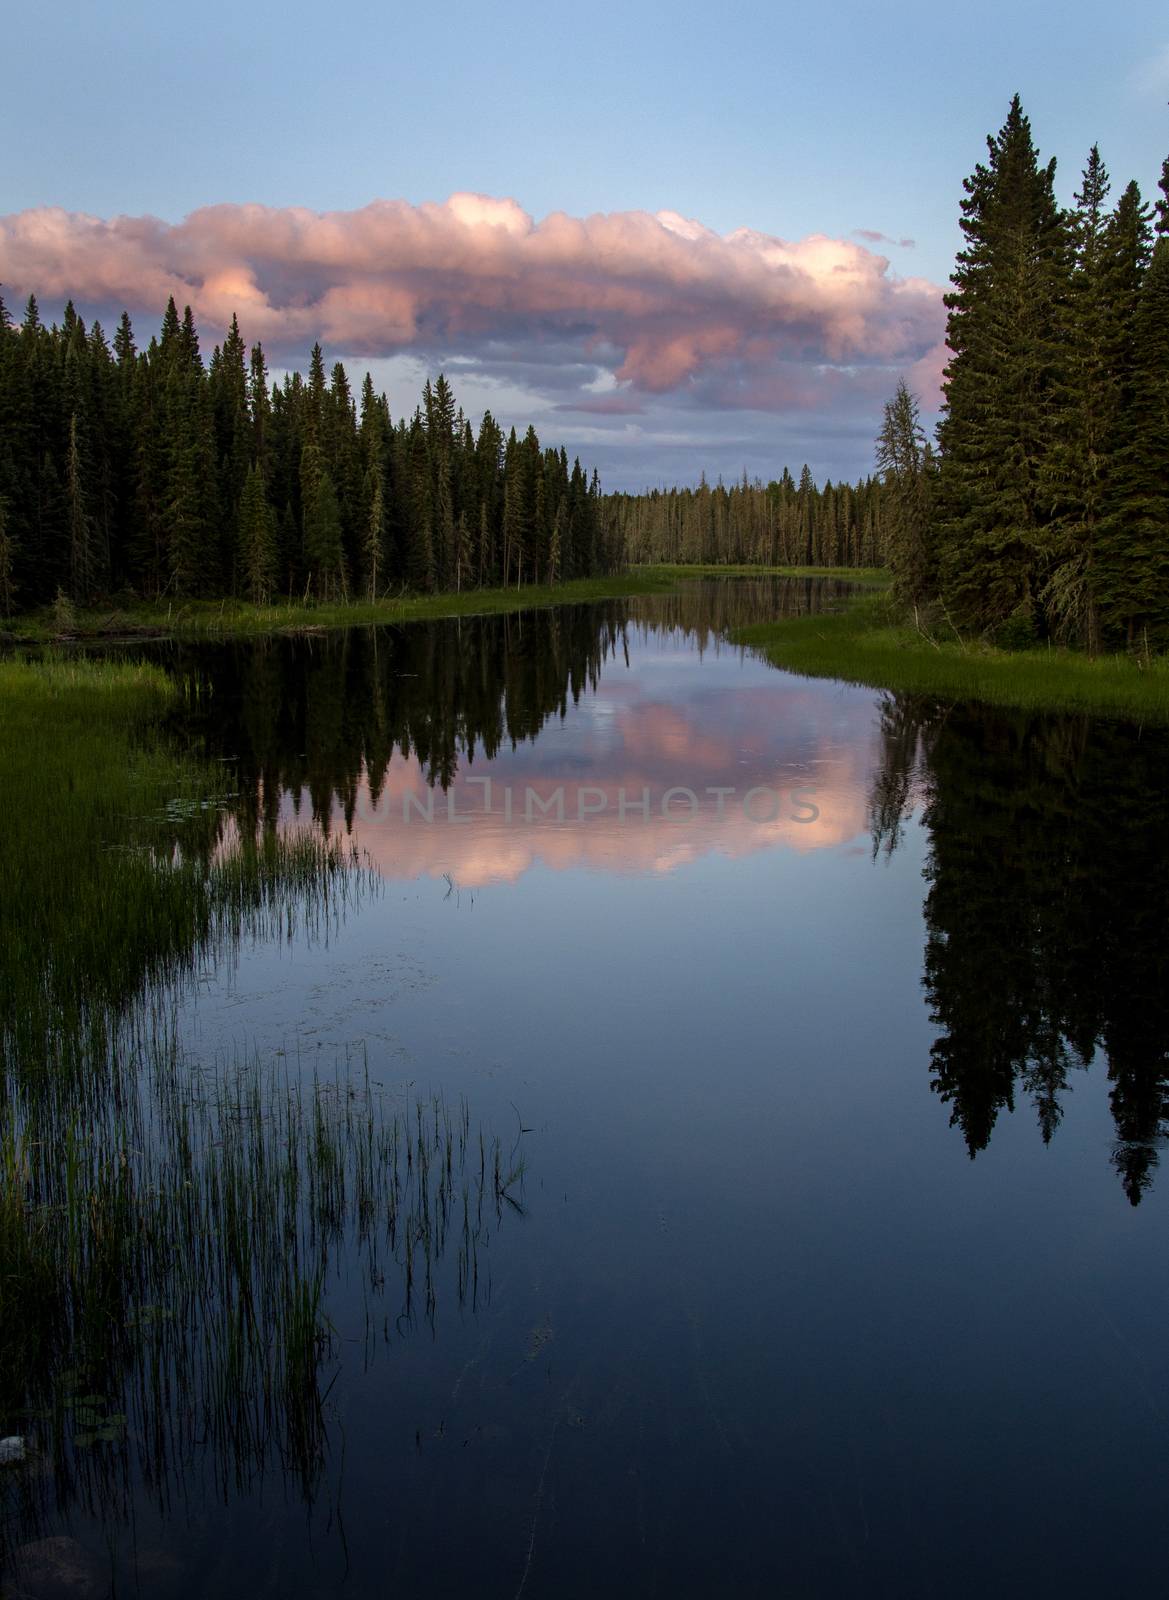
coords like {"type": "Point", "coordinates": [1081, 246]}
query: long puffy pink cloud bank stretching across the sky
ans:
{"type": "Point", "coordinates": [669, 300]}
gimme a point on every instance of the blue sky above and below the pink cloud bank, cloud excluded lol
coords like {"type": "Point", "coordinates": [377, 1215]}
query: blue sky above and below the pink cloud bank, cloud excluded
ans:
{"type": "Point", "coordinates": [786, 119]}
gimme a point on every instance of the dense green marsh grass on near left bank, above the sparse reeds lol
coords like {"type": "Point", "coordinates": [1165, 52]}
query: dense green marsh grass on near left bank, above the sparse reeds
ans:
{"type": "Point", "coordinates": [121, 863]}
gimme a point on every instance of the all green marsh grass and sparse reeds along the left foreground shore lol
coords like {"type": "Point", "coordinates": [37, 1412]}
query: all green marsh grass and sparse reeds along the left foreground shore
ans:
{"type": "Point", "coordinates": [170, 1231]}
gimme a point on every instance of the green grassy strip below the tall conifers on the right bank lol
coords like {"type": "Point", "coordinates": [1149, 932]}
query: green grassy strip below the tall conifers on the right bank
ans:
{"type": "Point", "coordinates": [869, 644]}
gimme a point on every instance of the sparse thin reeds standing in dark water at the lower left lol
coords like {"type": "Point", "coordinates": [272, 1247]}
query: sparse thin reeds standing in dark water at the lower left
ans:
{"type": "Point", "coordinates": [170, 1263]}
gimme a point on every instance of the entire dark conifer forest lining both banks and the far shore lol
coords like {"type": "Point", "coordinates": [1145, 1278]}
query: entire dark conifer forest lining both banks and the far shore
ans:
{"type": "Point", "coordinates": [1039, 514]}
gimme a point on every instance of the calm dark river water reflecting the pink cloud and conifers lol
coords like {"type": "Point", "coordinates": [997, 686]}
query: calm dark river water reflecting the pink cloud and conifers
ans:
{"type": "Point", "coordinates": [831, 1030]}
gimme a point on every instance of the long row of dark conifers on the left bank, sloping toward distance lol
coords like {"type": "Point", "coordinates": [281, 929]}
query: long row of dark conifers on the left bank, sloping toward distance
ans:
{"type": "Point", "coordinates": [159, 474]}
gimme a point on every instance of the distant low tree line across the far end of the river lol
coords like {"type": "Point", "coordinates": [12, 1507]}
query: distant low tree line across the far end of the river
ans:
{"type": "Point", "coordinates": [780, 524]}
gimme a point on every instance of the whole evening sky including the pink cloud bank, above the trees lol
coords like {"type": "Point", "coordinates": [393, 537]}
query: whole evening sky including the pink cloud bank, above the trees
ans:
{"type": "Point", "coordinates": [679, 239]}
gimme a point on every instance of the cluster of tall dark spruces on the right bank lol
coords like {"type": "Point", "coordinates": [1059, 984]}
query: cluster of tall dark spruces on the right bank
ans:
{"type": "Point", "coordinates": [1045, 511]}
